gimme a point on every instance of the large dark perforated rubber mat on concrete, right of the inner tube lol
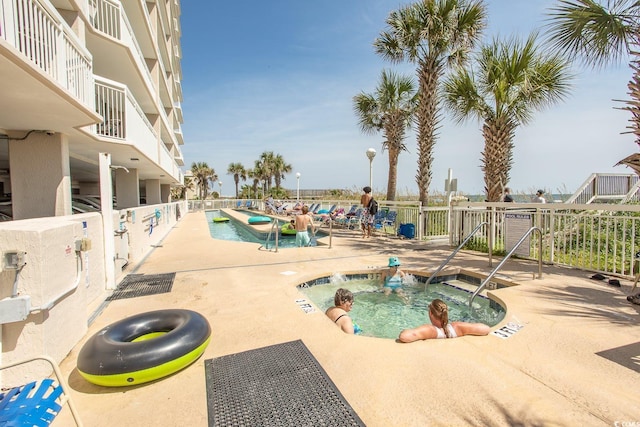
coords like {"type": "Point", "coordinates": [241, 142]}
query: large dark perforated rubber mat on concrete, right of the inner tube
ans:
{"type": "Point", "coordinates": [279, 385]}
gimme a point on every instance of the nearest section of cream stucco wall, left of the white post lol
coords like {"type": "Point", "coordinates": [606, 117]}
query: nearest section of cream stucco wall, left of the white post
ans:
{"type": "Point", "coordinates": [51, 270]}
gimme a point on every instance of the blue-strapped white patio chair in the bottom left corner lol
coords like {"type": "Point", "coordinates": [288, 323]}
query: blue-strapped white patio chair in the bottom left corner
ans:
{"type": "Point", "coordinates": [38, 402]}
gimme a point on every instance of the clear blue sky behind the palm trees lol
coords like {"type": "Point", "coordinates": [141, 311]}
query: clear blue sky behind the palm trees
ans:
{"type": "Point", "coordinates": [280, 75]}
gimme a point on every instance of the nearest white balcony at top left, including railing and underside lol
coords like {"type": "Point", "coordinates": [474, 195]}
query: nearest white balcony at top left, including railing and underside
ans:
{"type": "Point", "coordinates": [43, 57]}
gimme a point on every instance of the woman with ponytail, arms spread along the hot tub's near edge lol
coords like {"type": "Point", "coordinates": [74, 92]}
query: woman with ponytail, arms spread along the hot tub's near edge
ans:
{"type": "Point", "coordinates": [440, 326]}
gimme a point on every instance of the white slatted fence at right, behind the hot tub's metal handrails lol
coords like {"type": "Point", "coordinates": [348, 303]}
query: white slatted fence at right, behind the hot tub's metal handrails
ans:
{"type": "Point", "coordinates": [596, 237]}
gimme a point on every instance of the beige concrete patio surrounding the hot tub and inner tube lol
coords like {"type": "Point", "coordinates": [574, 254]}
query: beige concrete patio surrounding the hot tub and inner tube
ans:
{"type": "Point", "coordinates": [576, 361]}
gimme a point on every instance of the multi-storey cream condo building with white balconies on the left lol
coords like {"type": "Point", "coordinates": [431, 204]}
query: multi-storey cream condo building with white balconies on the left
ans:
{"type": "Point", "coordinates": [90, 149]}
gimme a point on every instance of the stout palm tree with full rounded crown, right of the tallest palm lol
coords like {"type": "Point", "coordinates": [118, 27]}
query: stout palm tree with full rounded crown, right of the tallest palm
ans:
{"type": "Point", "coordinates": [510, 82]}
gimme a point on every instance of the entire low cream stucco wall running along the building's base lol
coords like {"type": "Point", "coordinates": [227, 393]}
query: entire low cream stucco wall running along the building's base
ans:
{"type": "Point", "coordinates": [51, 269]}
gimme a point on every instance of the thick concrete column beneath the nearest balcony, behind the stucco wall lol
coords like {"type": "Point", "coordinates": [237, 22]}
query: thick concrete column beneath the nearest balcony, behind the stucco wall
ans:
{"type": "Point", "coordinates": [40, 176]}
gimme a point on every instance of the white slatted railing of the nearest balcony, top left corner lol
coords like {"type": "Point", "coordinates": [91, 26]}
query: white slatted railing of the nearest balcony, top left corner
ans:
{"type": "Point", "coordinates": [36, 30]}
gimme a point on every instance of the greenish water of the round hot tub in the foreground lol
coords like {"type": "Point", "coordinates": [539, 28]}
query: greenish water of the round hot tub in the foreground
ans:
{"type": "Point", "coordinates": [385, 316]}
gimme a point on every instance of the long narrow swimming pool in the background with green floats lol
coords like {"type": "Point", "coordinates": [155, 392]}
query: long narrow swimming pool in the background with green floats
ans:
{"type": "Point", "coordinates": [238, 231]}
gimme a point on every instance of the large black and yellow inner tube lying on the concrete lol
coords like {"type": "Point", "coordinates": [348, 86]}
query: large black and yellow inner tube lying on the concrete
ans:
{"type": "Point", "coordinates": [144, 347]}
